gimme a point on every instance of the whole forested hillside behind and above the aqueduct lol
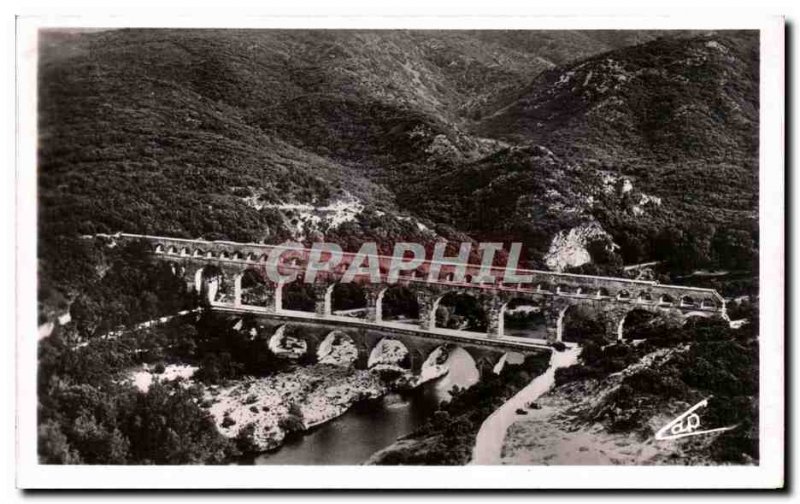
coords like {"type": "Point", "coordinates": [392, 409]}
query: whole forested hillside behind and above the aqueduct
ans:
{"type": "Point", "coordinates": [646, 139]}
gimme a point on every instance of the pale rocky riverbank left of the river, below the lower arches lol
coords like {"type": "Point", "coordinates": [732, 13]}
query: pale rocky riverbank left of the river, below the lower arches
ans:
{"type": "Point", "coordinates": [260, 412]}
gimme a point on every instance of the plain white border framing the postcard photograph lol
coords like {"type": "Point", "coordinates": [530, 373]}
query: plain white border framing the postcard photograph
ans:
{"type": "Point", "coordinates": [769, 474]}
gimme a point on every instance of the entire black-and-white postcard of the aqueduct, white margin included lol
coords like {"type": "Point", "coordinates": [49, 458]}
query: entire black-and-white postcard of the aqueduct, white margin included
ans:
{"type": "Point", "coordinates": [265, 249]}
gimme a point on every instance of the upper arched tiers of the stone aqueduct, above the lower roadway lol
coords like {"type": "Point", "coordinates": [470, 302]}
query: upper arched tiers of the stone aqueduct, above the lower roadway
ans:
{"type": "Point", "coordinates": [216, 269]}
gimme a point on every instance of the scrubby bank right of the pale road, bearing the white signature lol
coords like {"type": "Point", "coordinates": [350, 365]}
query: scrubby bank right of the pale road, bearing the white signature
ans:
{"type": "Point", "coordinates": [593, 417]}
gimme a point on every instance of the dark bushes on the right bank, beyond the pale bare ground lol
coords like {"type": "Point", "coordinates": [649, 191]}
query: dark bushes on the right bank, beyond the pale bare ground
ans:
{"type": "Point", "coordinates": [706, 360]}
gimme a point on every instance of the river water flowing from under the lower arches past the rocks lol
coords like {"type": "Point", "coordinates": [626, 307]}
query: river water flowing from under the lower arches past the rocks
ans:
{"type": "Point", "coordinates": [372, 425]}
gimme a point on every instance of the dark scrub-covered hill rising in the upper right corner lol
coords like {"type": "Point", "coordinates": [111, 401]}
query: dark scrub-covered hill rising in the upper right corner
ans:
{"type": "Point", "coordinates": [677, 116]}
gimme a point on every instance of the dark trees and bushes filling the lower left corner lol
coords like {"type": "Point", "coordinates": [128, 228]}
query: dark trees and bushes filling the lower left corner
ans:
{"type": "Point", "coordinates": [90, 413]}
